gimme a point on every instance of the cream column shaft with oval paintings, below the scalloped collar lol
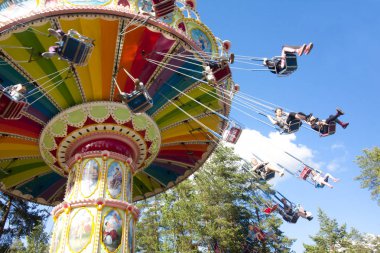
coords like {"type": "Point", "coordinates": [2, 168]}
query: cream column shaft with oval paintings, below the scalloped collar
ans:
{"type": "Point", "coordinates": [97, 214]}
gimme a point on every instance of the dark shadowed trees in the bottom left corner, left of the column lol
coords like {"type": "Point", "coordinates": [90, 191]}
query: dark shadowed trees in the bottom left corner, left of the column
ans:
{"type": "Point", "coordinates": [17, 219]}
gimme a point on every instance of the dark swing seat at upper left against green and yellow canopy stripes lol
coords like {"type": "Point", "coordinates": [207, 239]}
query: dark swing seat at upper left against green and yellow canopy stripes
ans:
{"type": "Point", "coordinates": [76, 50]}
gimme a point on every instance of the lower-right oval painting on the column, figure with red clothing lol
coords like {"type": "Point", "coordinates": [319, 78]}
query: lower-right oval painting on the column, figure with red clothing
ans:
{"type": "Point", "coordinates": [112, 230]}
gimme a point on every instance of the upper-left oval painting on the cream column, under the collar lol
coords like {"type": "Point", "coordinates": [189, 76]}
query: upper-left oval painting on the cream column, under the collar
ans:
{"type": "Point", "coordinates": [90, 177]}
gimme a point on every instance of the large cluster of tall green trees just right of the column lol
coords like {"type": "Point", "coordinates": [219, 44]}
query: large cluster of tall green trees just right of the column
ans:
{"type": "Point", "coordinates": [211, 210]}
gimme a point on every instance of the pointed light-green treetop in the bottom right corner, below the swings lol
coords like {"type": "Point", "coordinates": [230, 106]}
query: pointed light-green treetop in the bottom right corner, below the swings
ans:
{"type": "Point", "coordinates": [333, 237]}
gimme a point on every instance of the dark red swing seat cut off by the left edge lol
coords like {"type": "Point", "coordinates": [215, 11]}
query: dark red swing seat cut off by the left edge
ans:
{"type": "Point", "coordinates": [9, 108]}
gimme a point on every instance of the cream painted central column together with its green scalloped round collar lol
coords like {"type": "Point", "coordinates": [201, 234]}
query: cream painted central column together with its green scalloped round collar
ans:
{"type": "Point", "coordinates": [99, 147]}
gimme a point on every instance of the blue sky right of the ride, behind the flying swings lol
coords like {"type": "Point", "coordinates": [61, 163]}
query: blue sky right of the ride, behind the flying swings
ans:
{"type": "Point", "coordinates": [341, 71]}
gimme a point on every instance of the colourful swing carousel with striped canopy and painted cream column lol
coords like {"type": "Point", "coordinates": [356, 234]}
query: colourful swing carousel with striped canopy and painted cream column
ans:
{"type": "Point", "coordinates": [120, 100]}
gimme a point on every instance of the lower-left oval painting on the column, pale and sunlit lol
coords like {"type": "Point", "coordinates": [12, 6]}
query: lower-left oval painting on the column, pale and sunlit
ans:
{"type": "Point", "coordinates": [80, 230]}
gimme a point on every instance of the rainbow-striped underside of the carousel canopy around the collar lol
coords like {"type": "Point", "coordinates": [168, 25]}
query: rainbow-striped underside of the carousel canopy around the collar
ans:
{"type": "Point", "coordinates": [185, 146]}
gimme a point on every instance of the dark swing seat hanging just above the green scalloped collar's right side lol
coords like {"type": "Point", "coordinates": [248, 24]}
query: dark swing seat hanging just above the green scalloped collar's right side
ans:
{"type": "Point", "coordinates": [139, 101]}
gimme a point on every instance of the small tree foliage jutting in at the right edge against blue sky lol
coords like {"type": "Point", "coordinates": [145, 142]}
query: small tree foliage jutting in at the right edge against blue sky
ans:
{"type": "Point", "coordinates": [369, 162]}
